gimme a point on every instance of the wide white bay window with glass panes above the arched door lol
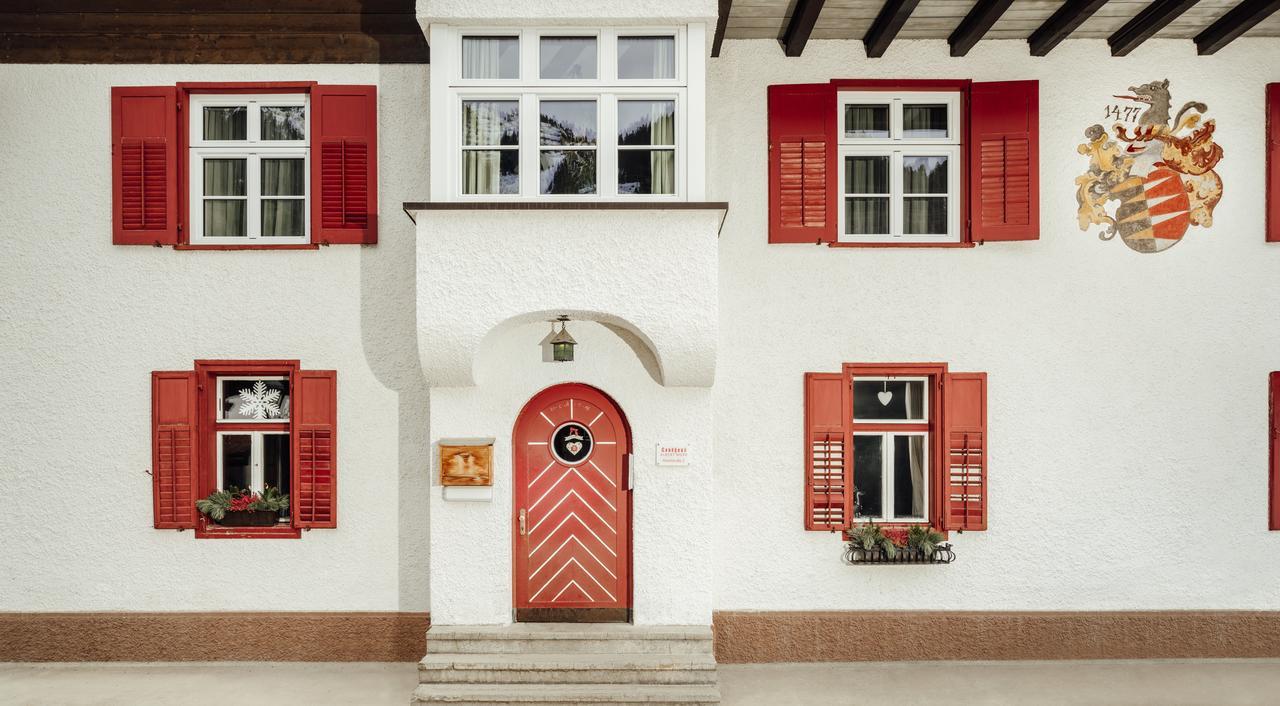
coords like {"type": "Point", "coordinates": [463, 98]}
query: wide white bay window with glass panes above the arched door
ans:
{"type": "Point", "coordinates": [565, 113]}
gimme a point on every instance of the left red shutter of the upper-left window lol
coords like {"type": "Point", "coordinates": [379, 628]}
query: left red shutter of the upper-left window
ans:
{"type": "Point", "coordinates": [144, 166]}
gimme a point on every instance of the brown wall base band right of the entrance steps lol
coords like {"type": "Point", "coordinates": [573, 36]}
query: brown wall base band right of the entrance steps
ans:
{"type": "Point", "coordinates": [894, 636]}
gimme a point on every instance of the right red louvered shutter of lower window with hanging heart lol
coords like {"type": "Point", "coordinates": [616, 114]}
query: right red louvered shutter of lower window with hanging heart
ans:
{"type": "Point", "coordinates": [964, 502]}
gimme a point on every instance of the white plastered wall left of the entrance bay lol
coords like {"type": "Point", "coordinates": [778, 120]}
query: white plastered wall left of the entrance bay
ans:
{"type": "Point", "coordinates": [85, 323]}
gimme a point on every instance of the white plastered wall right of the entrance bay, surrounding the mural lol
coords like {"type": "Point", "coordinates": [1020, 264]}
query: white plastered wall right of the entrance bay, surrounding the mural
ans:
{"type": "Point", "coordinates": [1128, 393]}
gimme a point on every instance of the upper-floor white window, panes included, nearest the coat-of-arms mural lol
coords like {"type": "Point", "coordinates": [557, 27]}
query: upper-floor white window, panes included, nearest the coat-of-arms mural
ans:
{"type": "Point", "coordinates": [899, 167]}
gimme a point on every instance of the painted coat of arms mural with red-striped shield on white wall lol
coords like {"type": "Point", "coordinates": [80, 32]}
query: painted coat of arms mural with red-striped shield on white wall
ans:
{"type": "Point", "coordinates": [1153, 178]}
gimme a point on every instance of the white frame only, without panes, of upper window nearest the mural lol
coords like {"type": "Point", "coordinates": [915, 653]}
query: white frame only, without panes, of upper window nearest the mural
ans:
{"type": "Point", "coordinates": [897, 148]}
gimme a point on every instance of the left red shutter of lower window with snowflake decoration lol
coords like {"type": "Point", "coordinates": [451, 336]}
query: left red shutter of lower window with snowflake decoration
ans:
{"type": "Point", "coordinates": [173, 450]}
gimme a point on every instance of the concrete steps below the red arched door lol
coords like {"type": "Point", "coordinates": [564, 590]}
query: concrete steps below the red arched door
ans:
{"type": "Point", "coordinates": [557, 663]}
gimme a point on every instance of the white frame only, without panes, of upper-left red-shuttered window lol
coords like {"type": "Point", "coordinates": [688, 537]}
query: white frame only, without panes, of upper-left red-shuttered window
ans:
{"type": "Point", "coordinates": [253, 150]}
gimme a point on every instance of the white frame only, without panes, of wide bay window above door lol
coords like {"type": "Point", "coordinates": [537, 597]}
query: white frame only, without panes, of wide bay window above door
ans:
{"type": "Point", "coordinates": [607, 90]}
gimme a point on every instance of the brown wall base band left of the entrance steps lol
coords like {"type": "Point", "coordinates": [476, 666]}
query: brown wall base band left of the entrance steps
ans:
{"type": "Point", "coordinates": [213, 636]}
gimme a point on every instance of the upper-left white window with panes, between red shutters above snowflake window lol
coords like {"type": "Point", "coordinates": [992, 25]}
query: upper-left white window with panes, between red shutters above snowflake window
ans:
{"type": "Point", "coordinates": [249, 169]}
